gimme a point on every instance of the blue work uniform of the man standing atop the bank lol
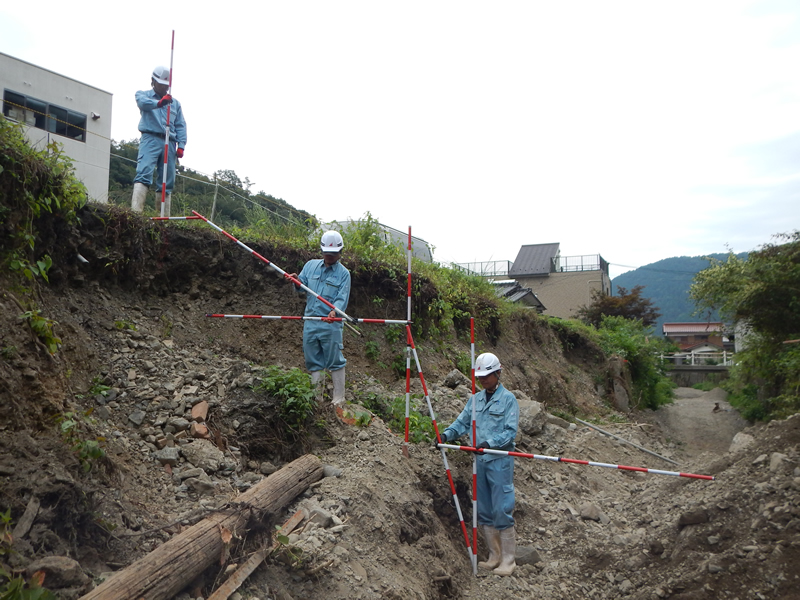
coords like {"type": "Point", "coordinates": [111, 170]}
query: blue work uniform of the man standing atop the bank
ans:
{"type": "Point", "coordinates": [152, 126]}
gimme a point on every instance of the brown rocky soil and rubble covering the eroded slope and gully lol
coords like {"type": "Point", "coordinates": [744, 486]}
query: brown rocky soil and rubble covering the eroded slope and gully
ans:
{"type": "Point", "coordinates": [174, 398]}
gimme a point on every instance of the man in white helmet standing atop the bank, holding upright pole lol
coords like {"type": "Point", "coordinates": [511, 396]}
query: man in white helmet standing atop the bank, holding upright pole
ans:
{"type": "Point", "coordinates": [153, 105]}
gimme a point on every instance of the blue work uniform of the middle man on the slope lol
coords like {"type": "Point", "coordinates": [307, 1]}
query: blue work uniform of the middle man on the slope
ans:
{"type": "Point", "coordinates": [322, 342]}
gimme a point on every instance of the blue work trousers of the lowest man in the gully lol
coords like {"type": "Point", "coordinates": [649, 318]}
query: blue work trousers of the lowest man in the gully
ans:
{"type": "Point", "coordinates": [496, 492]}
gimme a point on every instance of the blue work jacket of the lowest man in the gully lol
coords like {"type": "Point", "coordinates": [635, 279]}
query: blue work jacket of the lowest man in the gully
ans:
{"type": "Point", "coordinates": [496, 421]}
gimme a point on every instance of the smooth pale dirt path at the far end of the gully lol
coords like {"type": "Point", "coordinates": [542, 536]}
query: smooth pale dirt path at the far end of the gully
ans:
{"type": "Point", "coordinates": [700, 421]}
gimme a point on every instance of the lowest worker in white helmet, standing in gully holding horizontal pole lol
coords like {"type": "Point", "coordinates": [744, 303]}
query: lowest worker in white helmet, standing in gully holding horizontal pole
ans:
{"type": "Point", "coordinates": [496, 420]}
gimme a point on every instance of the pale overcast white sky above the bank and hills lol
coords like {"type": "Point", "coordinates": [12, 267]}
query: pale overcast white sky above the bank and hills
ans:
{"type": "Point", "coordinates": [636, 129]}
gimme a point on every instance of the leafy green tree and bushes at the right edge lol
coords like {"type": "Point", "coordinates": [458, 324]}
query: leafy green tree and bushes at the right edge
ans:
{"type": "Point", "coordinates": [762, 296]}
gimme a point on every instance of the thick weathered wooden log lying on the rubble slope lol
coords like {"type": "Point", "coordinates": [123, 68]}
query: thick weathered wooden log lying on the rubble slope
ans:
{"type": "Point", "coordinates": [172, 566]}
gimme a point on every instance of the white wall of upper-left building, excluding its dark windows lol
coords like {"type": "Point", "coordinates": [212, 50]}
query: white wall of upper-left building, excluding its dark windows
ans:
{"type": "Point", "coordinates": [90, 158]}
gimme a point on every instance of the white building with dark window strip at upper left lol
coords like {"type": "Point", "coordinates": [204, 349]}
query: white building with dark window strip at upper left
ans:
{"type": "Point", "coordinates": [59, 109]}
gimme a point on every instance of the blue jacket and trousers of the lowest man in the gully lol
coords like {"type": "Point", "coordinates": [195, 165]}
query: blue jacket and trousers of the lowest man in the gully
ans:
{"type": "Point", "coordinates": [496, 421]}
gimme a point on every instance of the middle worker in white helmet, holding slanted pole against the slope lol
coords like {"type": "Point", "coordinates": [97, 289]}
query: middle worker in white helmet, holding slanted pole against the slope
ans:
{"type": "Point", "coordinates": [322, 340]}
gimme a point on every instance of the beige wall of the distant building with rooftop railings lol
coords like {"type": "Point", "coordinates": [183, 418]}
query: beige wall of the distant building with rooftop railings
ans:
{"type": "Point", "coordinates": [563, 293]}
